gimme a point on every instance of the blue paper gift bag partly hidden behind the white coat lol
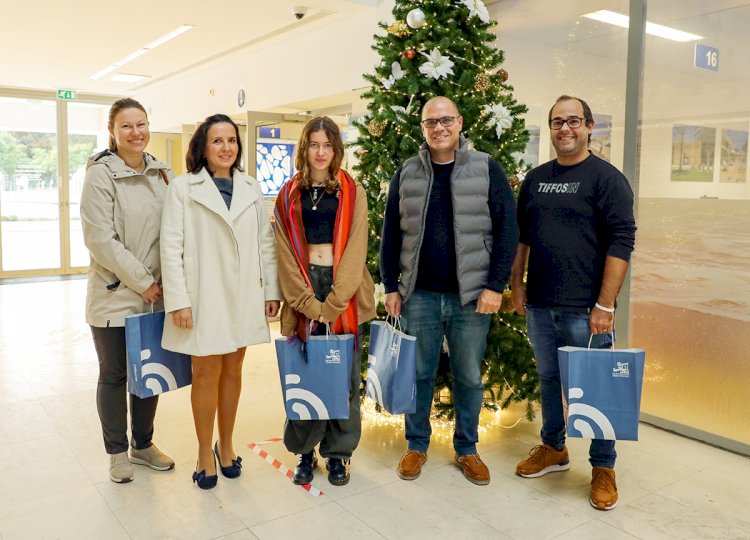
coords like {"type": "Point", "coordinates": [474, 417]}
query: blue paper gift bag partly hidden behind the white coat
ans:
{"type": "Point", "coordinates": [151, 369]}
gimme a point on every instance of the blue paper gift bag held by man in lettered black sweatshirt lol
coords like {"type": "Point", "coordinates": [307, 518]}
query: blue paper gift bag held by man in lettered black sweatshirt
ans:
{"type": "Point", "coordinates": [603, 390]}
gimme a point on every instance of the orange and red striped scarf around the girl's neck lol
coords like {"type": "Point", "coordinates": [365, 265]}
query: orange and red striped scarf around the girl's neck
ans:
{"type": "Point", "coordinates": [288, 213]}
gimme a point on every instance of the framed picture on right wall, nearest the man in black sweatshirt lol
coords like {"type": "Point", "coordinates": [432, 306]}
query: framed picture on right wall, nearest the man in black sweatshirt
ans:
{"type": "Point", "coordinates": [693, 152]}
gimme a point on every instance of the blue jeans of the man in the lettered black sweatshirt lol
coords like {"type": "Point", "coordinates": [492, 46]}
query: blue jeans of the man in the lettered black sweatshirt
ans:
{"type": "Point", "coordinates": [550, 329]}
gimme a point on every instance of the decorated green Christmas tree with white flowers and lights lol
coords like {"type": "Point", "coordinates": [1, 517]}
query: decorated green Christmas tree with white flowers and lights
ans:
{"type": "Point", "coordinates": [444, 48]}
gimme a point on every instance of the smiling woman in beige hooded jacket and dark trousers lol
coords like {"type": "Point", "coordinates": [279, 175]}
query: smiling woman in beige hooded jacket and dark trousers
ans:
{"type": "Point", "coordinates": [121, 206]}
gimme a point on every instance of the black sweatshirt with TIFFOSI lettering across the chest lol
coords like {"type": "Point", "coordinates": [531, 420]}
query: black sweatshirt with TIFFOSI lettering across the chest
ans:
{"type": "Point", "coordinates": [572, 218]}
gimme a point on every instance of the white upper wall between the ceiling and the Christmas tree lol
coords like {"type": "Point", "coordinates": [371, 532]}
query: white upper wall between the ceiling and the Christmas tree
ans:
{"type": "Point", "coordinates": [328, 59]}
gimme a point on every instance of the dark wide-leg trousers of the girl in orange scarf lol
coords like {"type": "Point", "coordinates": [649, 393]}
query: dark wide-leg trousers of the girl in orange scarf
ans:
{"type": "Point", "coordinates": [337, 438]}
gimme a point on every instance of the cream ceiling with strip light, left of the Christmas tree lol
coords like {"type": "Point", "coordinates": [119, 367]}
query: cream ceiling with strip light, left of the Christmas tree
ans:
{"type": "Point", "coordinates": [48, 44]}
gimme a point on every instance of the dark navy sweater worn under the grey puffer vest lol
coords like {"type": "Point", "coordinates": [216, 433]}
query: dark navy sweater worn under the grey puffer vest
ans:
{"type": "Point", "coordinates": [436, 270]}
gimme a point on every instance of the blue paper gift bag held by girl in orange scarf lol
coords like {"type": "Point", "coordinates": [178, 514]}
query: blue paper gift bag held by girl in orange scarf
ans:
{"type": "Point", "coordinates": [315, 376]}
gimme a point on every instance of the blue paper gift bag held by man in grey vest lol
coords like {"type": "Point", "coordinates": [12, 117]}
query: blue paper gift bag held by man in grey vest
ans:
{"type": "Point", "coordinates": [392, 368]}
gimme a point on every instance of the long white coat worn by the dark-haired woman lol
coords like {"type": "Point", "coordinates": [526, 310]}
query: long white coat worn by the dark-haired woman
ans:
{"type": "Point", "coordinates": [220, 262]}
